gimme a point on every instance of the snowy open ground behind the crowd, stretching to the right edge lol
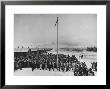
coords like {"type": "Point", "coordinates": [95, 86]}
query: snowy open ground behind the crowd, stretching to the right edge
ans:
{"type": "Point", "coordinates": [88, 57]}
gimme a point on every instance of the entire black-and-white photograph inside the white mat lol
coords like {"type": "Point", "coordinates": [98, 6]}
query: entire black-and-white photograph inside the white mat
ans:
{"type": "Point", "coordinates": [55, 45]}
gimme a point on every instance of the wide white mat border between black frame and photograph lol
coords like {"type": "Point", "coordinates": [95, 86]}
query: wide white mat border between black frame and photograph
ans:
{"type": "Point", "coordinates": [100, 79]}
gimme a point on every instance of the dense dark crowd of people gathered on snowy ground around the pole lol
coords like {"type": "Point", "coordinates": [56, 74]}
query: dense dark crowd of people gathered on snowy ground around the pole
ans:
{"type": "Point", "coordinates": [47, 61]}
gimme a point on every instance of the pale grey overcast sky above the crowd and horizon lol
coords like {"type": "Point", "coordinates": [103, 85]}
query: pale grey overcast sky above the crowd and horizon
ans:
{"type": "Point", "coordinates": [39, 30]}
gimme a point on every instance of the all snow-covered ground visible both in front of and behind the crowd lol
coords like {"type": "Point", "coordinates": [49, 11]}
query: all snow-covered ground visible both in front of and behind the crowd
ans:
{"type": "Point", "coordinates": [88, 58]}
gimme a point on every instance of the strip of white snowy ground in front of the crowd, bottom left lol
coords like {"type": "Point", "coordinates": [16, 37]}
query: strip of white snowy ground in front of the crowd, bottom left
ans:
{"type": "Point", "coordinates": [29, 72]}
